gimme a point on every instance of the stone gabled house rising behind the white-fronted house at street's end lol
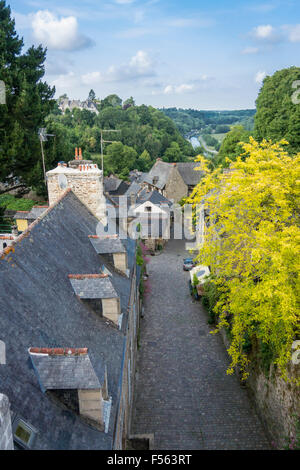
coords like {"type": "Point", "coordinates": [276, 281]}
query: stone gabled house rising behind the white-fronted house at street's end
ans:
{"type": "Point", "coordinates": [172, 180]}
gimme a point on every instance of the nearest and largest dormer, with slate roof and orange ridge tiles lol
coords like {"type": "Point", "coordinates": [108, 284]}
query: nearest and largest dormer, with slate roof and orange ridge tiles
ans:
{"type": "Point", "coordinates": [68, 376]}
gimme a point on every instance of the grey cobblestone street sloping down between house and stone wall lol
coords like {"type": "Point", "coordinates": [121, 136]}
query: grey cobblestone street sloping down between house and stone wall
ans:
{"type": "Point", "coordinates": [182, 393]}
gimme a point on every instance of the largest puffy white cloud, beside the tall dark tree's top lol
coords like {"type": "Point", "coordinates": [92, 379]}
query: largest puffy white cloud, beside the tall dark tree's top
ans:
{"type": "Point", "coordinates": [58, 33]}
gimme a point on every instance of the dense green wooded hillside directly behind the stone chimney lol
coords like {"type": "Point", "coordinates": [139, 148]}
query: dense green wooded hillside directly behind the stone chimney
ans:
{"type": "Point", "coordinates": [145, 130]}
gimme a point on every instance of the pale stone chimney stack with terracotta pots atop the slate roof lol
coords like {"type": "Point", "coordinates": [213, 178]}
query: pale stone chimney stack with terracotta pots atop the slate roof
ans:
{"type": "Point", "coordinates": [84, 178]}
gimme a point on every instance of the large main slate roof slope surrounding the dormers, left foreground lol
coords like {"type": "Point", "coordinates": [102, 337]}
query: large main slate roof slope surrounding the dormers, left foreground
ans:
{"type": "Point", "coordinates": [38, 308]}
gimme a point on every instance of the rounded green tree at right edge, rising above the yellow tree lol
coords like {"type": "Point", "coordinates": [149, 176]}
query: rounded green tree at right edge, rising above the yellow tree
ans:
{"type": "Point", "coordinates": [278, 115]}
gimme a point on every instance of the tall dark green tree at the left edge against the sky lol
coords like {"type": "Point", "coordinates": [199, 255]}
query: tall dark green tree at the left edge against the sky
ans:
{"type": "Point", "coordinates": [28, 102]}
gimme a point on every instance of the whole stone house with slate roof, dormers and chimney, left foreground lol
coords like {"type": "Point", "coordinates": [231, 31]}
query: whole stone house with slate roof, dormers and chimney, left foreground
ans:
{"type": "Point", "coordinates": [72, 294]}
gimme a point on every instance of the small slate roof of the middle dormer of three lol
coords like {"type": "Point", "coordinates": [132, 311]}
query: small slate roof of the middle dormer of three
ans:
{"type": "Point", "coordinates": [100, 288]}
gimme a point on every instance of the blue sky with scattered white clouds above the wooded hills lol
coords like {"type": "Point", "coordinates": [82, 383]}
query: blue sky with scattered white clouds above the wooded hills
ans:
{"type": "Point", "coordinates": [189, 54]}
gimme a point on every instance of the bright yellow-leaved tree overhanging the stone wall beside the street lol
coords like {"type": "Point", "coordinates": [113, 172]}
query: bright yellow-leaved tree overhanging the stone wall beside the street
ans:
{"type": "Point", "coordinates": [252, 247]}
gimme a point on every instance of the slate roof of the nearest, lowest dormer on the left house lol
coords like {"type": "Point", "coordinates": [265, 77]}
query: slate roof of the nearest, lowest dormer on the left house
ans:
{"type": "Point", "coordinates": [66, 373]}
